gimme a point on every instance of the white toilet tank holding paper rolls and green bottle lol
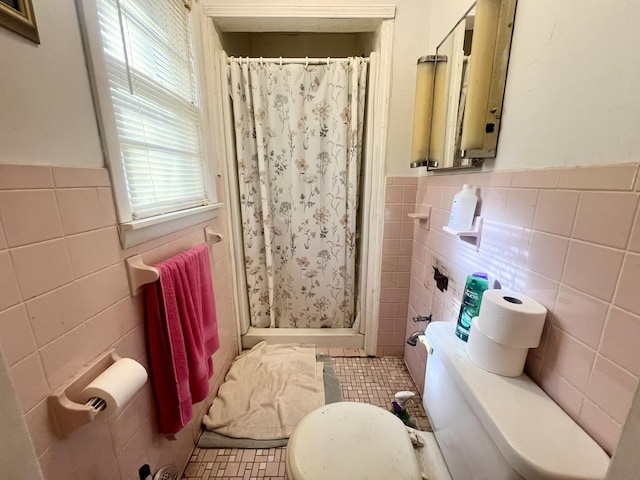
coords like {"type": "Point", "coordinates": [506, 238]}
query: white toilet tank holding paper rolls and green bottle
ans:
{"type": "Point", "coordinates": [491, 427]}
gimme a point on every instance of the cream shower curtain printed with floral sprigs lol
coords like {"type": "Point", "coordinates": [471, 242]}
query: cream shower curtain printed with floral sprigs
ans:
{"type": "Point", "coordinates": [298, 144]}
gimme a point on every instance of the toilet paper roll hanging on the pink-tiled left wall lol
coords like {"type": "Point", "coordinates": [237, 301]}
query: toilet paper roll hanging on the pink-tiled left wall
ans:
{"type": "Point", "coordinates": [117, 384]}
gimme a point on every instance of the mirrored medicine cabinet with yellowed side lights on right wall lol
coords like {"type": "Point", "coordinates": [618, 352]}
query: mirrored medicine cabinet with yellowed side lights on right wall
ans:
{"type": "Point", "coordinates": [460, 90]}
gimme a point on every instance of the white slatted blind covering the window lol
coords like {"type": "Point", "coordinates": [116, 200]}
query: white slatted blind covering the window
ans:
{"type": "Point", "coordinates": [152, 77]}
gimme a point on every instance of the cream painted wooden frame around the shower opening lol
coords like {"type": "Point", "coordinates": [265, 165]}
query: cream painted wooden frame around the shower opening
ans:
{"type": "Point", "coordinates": [377, 19]}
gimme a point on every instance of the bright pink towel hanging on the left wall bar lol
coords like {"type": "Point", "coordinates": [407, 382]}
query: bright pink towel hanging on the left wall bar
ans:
{"type": "Point", "coordinates": [183, 334]}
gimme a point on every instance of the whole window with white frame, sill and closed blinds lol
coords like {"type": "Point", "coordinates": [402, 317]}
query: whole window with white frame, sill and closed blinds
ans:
{"type": "Point", "coordinates": [145, 80]}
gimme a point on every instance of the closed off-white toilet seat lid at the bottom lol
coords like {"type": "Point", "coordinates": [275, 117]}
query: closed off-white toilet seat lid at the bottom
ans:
{"type": "Point", "coordinates": [348, 440]}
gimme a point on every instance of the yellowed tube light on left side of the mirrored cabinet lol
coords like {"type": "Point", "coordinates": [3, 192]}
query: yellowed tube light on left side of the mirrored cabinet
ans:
{"type": "Point", "coordinates": [422, 110]}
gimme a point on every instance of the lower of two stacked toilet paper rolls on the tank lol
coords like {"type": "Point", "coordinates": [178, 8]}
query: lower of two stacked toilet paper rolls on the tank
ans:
{"type": "Point", "coordinates": [493, 356]}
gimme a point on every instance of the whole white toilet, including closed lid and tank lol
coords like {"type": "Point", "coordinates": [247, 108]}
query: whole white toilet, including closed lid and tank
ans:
{"type": "Point", "coordinates": [486, 427]}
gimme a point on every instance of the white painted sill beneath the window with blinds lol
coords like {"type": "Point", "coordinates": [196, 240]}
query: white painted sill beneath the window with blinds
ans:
{"type": "Point", "coordinates": [140, 231]}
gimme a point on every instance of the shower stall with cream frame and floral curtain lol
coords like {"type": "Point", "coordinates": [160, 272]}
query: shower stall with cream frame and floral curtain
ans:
{"type": "Point", "coordinates": [302, 109]}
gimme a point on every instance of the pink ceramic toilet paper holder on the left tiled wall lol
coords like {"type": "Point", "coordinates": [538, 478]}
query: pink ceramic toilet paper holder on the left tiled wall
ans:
{"type": "Point", "coordinates": [65, 407]}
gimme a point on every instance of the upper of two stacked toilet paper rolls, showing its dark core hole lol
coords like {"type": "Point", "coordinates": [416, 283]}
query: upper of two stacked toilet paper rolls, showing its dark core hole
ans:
{"type": "Point", "coordinates": [511, 318]}
